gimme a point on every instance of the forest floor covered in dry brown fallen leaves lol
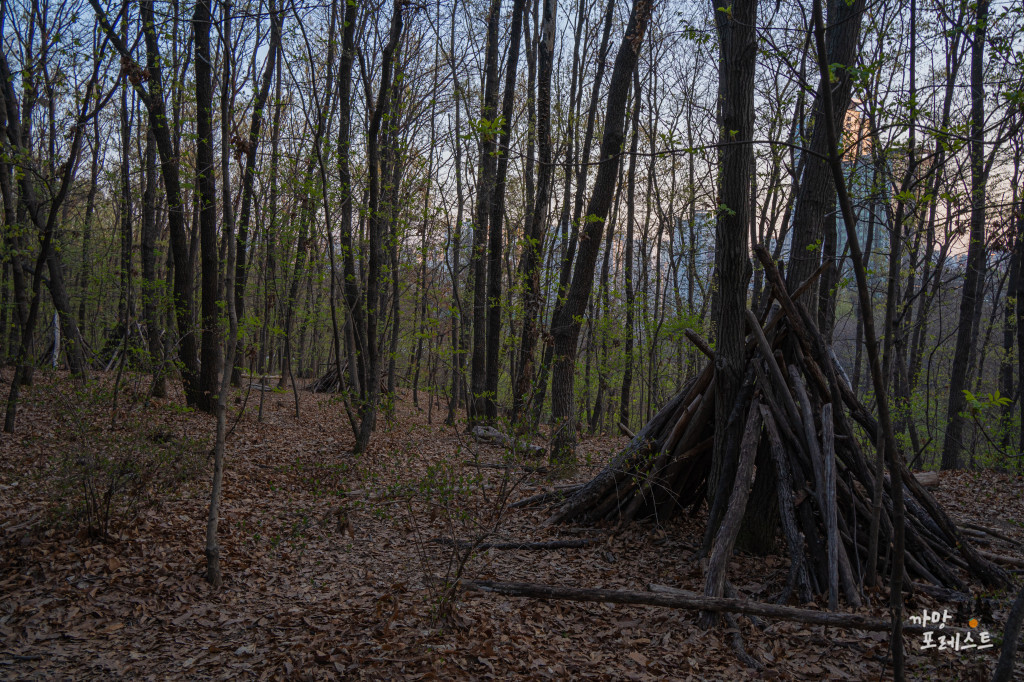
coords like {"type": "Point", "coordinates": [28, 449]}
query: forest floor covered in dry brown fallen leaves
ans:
{"type": "Point", "coordinates": [330, 569]}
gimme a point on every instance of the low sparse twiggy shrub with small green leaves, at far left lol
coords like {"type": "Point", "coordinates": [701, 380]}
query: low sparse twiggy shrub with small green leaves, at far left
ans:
{"type": "Point", "coordinates": [115, 454]}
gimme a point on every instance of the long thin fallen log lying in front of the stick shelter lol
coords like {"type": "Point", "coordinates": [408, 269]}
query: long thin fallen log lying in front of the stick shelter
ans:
{"type": "Point", "coordinates": [697, 604]}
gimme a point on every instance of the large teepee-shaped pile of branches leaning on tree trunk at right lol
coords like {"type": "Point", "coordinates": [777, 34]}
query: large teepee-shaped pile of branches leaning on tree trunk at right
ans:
{"type": "Point", "coordinates": [835, 504]}
